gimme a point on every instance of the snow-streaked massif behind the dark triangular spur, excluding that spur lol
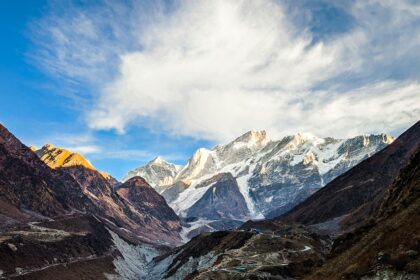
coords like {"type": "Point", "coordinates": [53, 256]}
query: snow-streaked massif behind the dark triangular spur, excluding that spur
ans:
{"type": "Point", "coordinates": [272, 176]}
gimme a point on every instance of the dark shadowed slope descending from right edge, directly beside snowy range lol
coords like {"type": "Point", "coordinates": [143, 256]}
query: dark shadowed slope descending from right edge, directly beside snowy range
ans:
{"type": "Point", "coordinates": [359, 191]}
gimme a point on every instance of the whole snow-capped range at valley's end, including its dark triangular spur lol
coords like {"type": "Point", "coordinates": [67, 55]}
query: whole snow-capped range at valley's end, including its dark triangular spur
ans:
{"type": "Point", "coordinates": [267, 177]}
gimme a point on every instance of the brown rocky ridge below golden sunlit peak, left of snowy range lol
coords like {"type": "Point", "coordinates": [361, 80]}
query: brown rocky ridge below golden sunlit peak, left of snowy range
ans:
{"type": "Point", "coordinates": [132, 209]}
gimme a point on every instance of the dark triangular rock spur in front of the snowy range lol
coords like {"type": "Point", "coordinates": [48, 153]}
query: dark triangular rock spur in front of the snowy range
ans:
{"type": "Point", "coordinates": [222, 200]}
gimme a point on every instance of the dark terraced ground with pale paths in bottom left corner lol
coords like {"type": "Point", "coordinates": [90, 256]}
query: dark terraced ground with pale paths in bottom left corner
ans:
{"type": "Point", "coordinates": [72, 247]}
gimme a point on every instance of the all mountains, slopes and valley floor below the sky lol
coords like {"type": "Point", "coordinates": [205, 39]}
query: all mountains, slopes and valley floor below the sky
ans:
{"type": "Point", "coordinates": [326, 209]}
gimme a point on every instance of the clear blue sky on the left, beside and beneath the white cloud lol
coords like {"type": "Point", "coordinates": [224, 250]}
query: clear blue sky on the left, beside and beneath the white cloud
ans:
{"type": "Point", "coordinates": [37, 110]}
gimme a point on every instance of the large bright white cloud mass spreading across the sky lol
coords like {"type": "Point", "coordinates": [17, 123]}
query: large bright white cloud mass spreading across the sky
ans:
{"type": "Point", "coordinates": [214, 69]}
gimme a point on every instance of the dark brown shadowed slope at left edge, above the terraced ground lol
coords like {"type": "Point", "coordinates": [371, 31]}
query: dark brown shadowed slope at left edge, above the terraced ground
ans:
{"type": "Point", "coordinates": [28, 187]}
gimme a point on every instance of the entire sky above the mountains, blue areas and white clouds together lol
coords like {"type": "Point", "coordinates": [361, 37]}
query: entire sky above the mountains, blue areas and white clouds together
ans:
{"type": "Point", "coordinates": [122, 82]}
